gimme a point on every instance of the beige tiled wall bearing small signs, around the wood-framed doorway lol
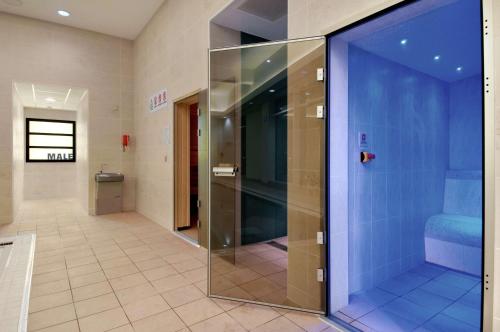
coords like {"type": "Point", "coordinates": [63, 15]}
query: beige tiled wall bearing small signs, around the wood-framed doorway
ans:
{"type": "Point", "coordinates": [171, 53]}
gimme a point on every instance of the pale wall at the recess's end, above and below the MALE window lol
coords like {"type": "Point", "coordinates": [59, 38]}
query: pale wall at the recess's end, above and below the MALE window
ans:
{"type": "Point", "coordinates": [48, 180]}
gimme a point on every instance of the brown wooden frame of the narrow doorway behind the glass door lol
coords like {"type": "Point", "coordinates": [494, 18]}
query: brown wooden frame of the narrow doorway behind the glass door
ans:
{"type": "Point", "coordinates": [181, 131]}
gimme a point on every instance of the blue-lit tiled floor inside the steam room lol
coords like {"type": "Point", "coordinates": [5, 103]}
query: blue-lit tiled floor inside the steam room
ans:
{"type": "Point", "coordinates": [427, 298]}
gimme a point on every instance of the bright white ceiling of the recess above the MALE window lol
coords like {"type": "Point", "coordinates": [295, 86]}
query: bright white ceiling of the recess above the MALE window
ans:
{"type": "Point", "coordinates": [49, 96]}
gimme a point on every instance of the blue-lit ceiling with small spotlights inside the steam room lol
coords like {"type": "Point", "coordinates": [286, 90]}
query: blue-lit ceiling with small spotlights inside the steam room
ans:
{"type": "Point", "coordinates": [452, 32]}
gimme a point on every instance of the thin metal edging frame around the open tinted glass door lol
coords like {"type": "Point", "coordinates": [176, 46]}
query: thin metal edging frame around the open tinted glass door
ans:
{"type": "Point", "coordinates": [324, 180]}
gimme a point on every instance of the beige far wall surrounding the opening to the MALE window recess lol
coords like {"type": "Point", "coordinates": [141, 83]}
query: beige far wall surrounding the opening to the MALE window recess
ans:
{"type": "Point", "coordinates": [46, 53]}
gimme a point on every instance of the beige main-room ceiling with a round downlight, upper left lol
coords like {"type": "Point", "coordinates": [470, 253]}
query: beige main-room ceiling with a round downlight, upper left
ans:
{"type": "Point", "coordinates": [120, 18]}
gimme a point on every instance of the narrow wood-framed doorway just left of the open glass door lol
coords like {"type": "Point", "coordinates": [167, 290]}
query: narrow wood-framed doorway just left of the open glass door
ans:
{"type": "Point", "coordinates": [186, 170]}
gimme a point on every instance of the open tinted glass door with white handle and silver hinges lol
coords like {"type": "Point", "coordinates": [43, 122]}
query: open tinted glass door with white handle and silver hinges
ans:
{"type": "Point", "coordinates": [267, 179]}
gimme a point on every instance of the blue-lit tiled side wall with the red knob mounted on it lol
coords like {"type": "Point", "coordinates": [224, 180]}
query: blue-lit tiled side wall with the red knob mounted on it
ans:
{"type": "Point", "coordinates": [405, 116]}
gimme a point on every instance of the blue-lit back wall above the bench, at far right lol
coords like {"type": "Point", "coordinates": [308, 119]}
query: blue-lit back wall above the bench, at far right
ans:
{"type": "Point", "coordinates": [465, 120]}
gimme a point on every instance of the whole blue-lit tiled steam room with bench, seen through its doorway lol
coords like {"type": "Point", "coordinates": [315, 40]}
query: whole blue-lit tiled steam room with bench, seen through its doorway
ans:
{"type": "Point", "coordinates": [405, 170]}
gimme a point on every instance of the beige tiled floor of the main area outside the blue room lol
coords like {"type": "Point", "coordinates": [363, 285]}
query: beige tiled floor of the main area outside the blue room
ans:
{"type": "Point", "coordinates": [123, 272]}
